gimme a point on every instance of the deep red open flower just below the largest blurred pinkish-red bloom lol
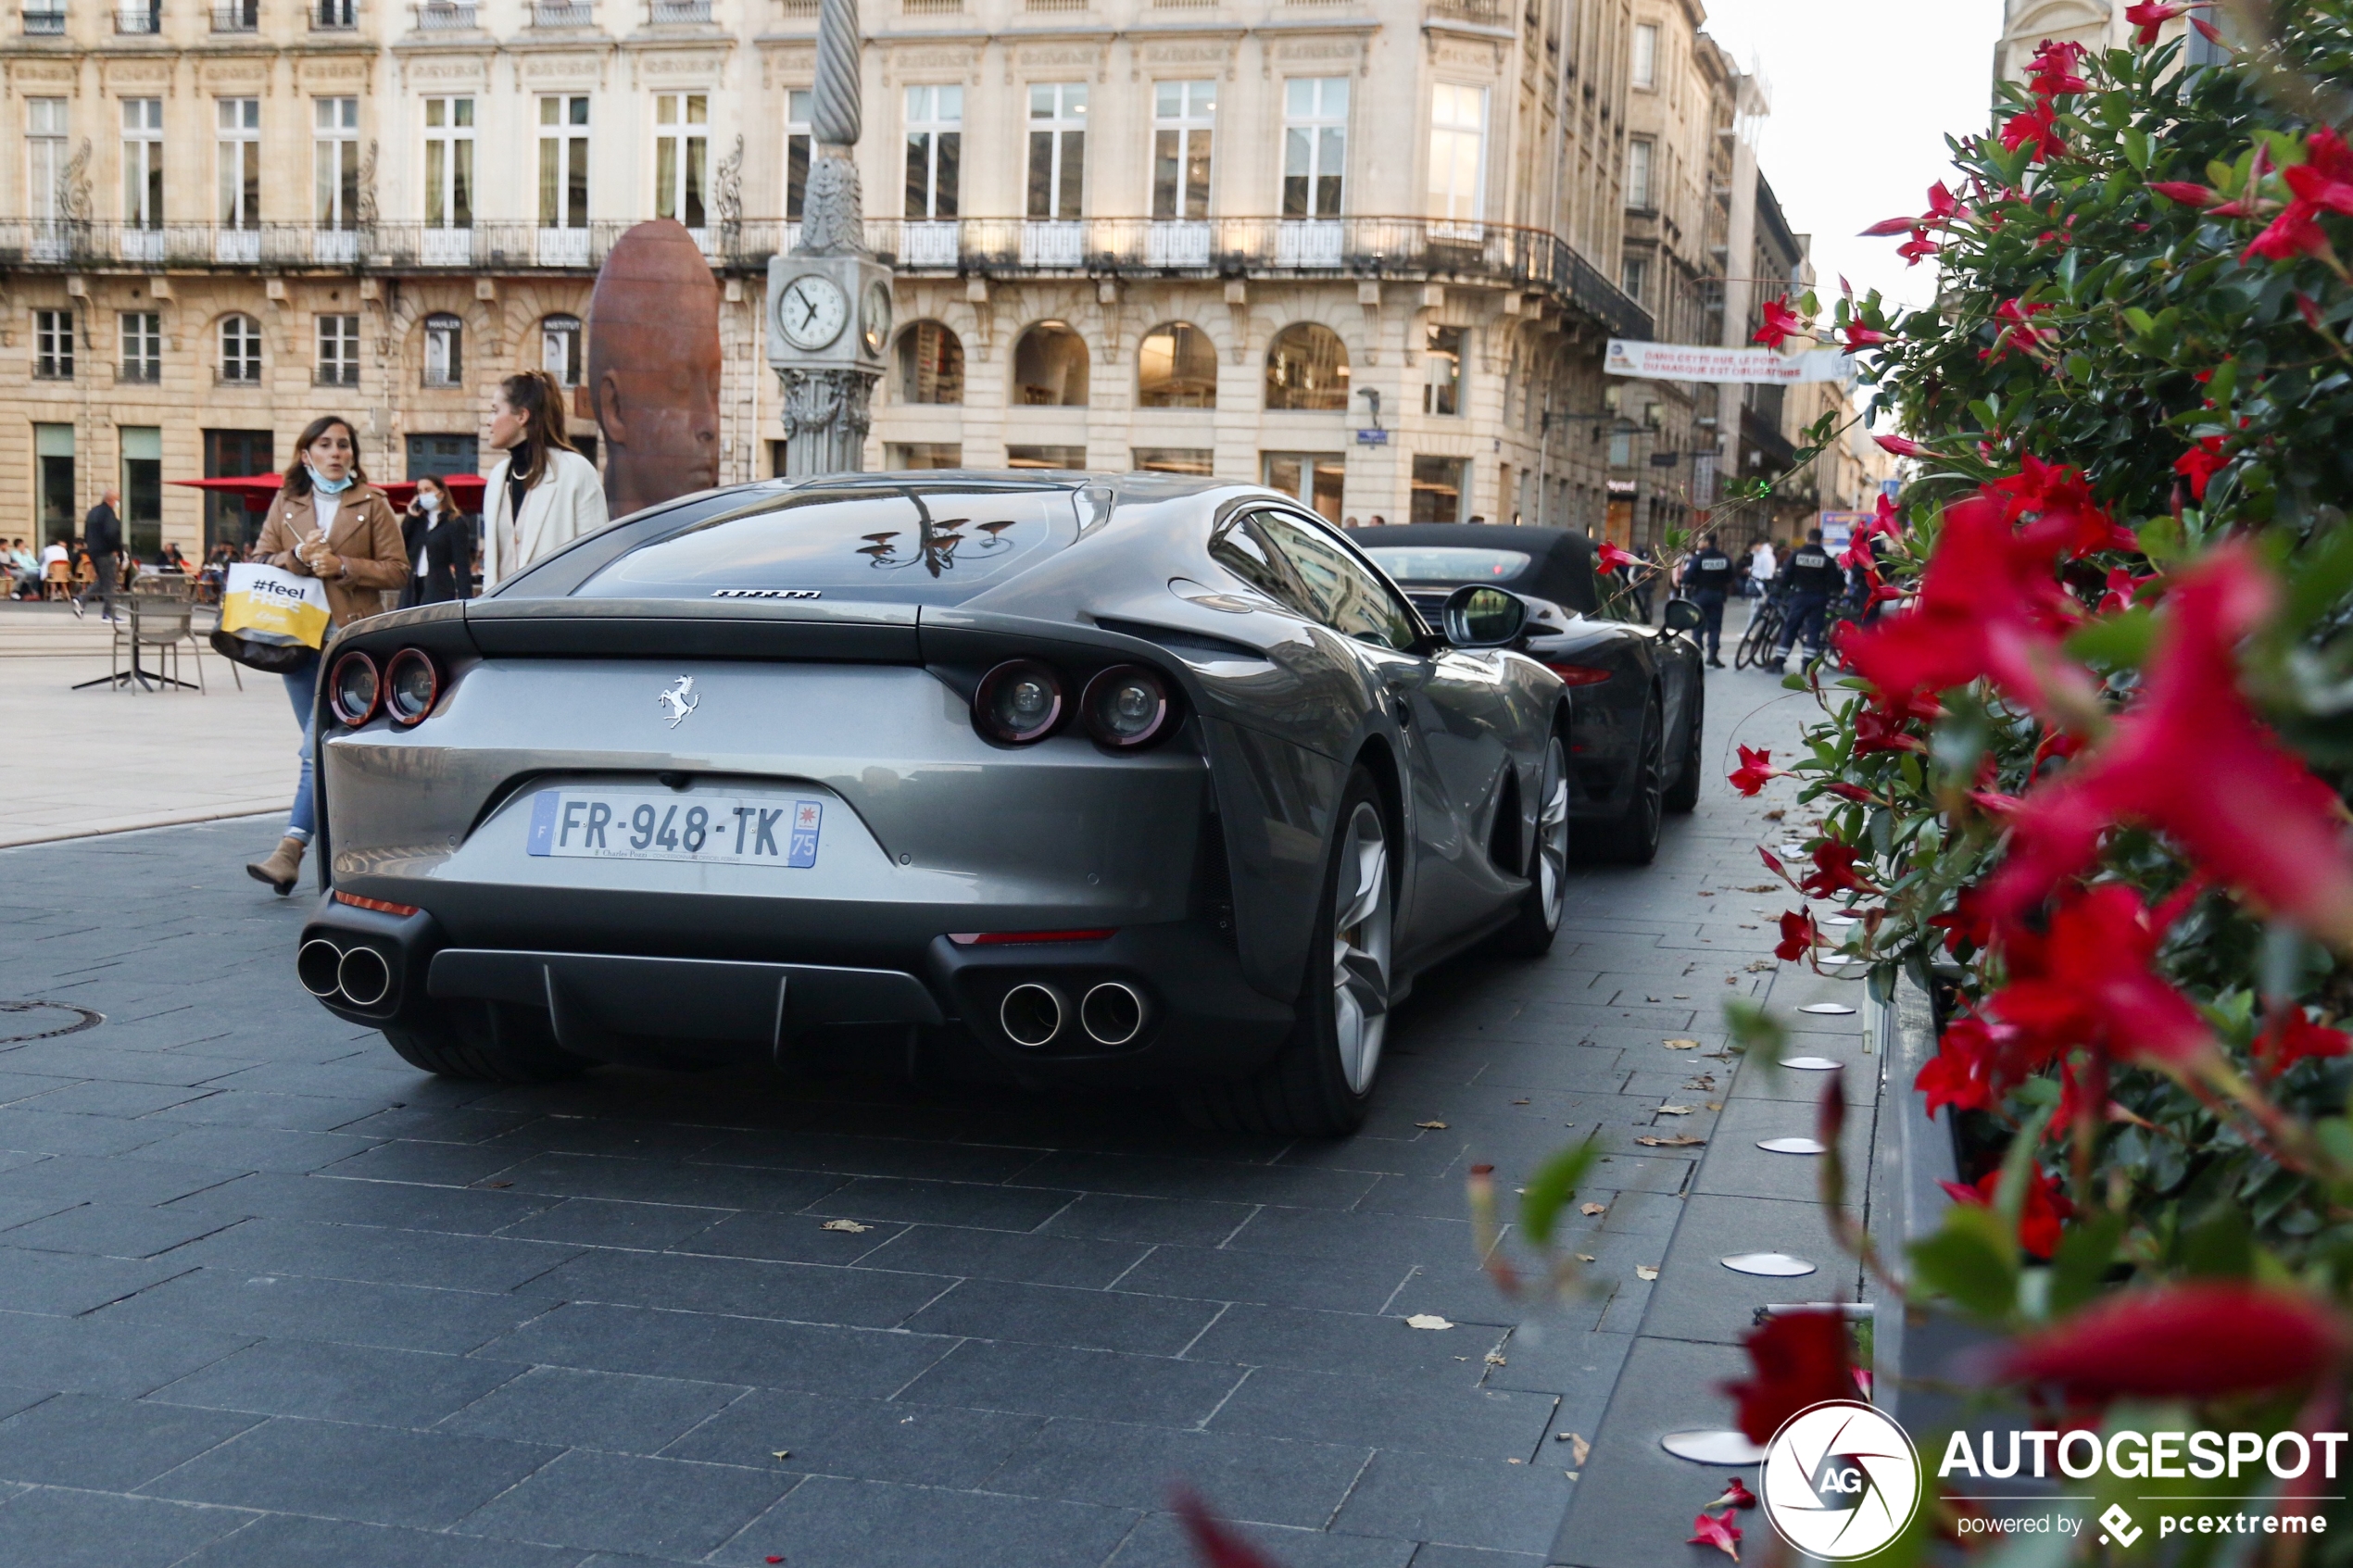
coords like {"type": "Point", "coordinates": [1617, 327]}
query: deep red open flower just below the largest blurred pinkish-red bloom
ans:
{"type": "Point", "coordinates": [2088, 981]}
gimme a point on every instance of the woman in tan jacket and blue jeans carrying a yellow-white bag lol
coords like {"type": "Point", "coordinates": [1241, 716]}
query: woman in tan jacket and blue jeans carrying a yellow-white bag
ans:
{"type": "Point", "coordinates": [328, 523]}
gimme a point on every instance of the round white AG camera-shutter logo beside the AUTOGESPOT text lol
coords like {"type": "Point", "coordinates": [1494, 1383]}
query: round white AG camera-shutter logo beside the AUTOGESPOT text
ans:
{"type": "Point", "coordinates": [1841, 1480]}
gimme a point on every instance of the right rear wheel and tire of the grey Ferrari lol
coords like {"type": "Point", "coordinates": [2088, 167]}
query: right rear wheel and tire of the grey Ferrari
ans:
{"type": "Point", "coordinates": [1321, 1085]}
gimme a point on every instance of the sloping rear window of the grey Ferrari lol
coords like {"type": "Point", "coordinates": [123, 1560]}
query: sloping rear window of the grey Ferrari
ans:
{"type": "Point", "coordinates": [900, 544]}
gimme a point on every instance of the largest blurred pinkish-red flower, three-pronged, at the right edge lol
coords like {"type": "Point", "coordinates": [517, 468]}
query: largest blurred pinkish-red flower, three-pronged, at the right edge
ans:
{"type": "Point", "coordinates": [2192, 760]}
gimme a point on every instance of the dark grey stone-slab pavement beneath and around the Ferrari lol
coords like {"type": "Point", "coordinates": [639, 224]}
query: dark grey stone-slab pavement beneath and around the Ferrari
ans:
{"type": "Point", "coordinates": [269, 1296]}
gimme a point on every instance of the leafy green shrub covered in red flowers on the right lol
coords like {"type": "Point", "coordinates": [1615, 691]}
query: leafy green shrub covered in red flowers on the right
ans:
{"type": "Point", "coordinates": [2088, 786]}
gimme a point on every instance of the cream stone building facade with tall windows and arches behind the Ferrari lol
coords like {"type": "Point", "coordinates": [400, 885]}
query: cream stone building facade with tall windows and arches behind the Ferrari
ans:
{"type": "Point", "coordinates": [1178, 234]}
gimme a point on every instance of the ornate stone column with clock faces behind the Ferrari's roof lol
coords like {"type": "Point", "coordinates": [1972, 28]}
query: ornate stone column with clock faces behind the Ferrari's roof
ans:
{"type": "Point", "coordinates": [829, 302]}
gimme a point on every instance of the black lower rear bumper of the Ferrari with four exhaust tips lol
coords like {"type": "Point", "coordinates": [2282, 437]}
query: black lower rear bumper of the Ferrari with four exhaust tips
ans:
{"type": "Point", "coordinates": [1140, 1007]}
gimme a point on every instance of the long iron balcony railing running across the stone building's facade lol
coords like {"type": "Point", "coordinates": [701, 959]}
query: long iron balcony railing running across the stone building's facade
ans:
{"type": "Point", "coordinates": [1357, 248]}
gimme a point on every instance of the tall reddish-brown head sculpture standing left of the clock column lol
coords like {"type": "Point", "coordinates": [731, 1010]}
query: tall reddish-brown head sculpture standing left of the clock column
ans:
{"type": "Point", "coordinates": [655, 368]}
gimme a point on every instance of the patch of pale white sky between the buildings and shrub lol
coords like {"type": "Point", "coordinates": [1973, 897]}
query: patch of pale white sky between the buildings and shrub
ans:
{"type": "Point", "coordinates": [1862, 98]}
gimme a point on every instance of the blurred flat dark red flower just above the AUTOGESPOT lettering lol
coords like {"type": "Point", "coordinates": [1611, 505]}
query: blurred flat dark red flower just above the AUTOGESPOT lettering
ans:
{"type": "Point", "coordinates": [2189, 1341]}
